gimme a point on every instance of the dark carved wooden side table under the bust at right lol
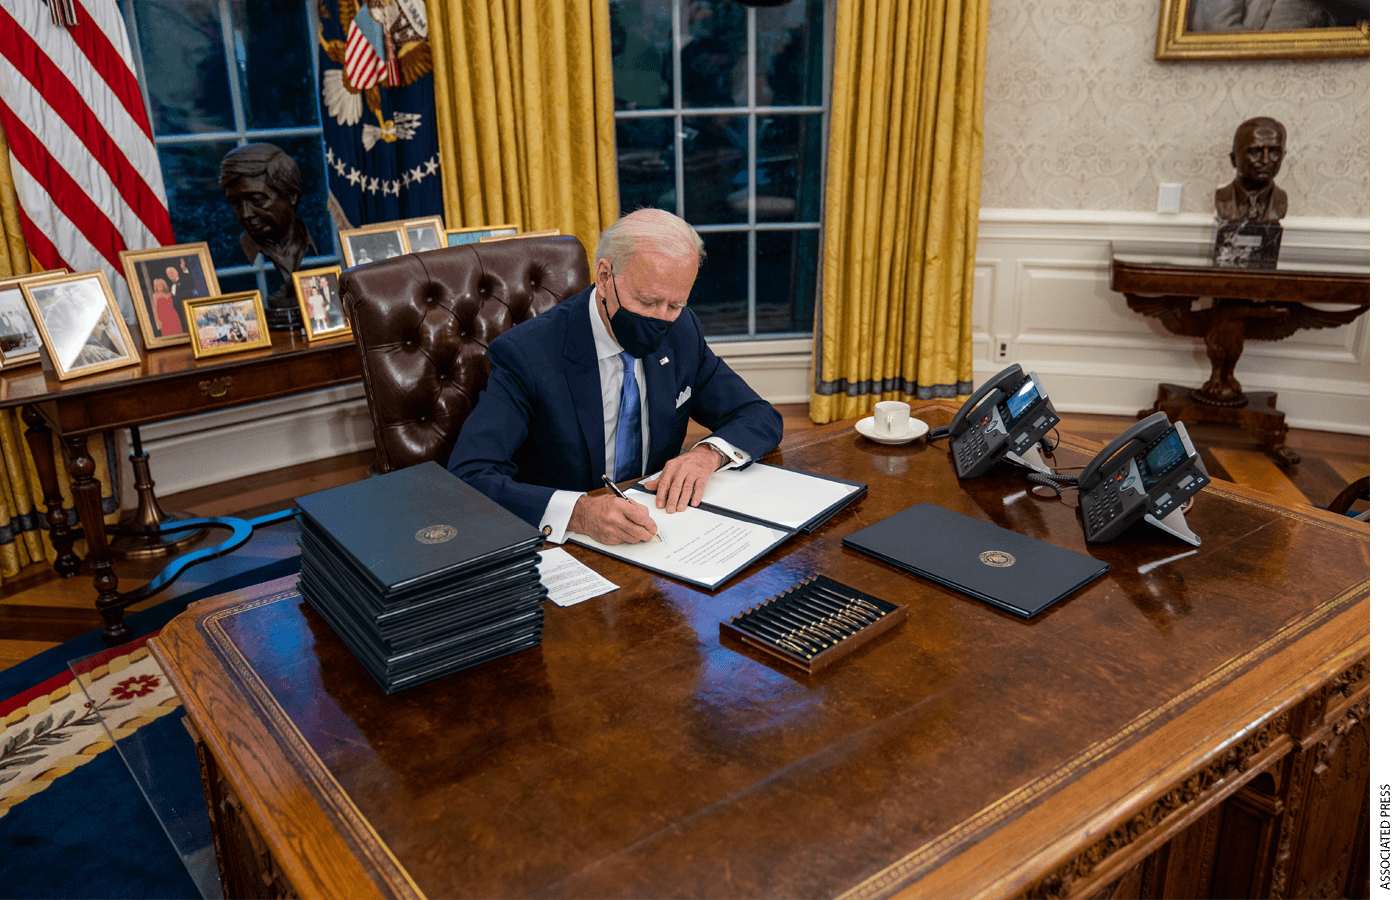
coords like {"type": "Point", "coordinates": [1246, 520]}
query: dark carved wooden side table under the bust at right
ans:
{"type": "Point", "coordinates": [1248, 304]}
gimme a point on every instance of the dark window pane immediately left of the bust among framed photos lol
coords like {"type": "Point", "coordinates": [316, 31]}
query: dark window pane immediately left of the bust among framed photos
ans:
{"type": "Point", "coordinates": [199, 211]}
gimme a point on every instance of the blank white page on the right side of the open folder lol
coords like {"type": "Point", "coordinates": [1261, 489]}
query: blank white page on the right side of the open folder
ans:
{"type": "Point", "coordinates": [785, 498]}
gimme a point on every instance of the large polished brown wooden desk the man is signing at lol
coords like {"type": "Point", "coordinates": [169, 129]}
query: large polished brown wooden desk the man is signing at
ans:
{"type": "Point", "coordinates": [1193, 724]}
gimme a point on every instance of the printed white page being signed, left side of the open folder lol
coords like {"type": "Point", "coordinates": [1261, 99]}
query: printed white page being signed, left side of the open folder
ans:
{"type": "Point", "coordinates": [698, 547]}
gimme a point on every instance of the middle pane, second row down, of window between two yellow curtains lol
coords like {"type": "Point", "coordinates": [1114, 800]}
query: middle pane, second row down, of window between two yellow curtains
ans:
{"type": "Point", "coordinates": [717, 170]}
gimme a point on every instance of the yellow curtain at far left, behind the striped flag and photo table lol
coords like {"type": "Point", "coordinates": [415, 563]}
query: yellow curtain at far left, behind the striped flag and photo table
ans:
{"type": "Point", "coordinates": [24, 535]}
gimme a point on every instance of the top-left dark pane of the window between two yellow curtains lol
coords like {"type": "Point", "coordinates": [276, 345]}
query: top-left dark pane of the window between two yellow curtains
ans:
{"type": "Point", "coordinates": [642, 54]}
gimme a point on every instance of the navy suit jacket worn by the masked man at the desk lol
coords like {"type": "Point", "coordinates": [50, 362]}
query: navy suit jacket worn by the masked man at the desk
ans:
{"type": "Point", "coordinates": [538, 428]}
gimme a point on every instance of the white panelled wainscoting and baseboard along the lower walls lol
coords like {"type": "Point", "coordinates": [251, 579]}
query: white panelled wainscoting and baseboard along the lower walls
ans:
{"type": "Point", "coordinates": [1041, 299]}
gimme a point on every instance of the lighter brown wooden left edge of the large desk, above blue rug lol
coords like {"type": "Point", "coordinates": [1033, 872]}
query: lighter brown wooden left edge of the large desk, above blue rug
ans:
{"type": "Point", "coordinates": [268, 776]}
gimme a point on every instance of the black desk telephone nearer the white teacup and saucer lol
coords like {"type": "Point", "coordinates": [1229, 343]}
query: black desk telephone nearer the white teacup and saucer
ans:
{"type": "Point", "coordinates": [1006, 416]}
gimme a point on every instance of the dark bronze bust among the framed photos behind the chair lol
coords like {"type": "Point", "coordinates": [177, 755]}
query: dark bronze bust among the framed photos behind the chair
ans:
{"type": "Point", "coordinates": [264, 187]}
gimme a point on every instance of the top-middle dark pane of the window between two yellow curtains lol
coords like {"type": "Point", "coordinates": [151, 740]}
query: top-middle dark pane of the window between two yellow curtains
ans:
{"type": "Point", "coordinates": [713, 59]}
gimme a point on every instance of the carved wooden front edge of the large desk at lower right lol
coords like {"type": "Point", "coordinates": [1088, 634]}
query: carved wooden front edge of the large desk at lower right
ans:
{"type": "Point", "coordinates": [1287, 703]}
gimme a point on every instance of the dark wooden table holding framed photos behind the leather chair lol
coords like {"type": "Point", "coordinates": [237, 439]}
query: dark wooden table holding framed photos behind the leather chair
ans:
{"type": "Point", "coordinates": [169, 384]}
